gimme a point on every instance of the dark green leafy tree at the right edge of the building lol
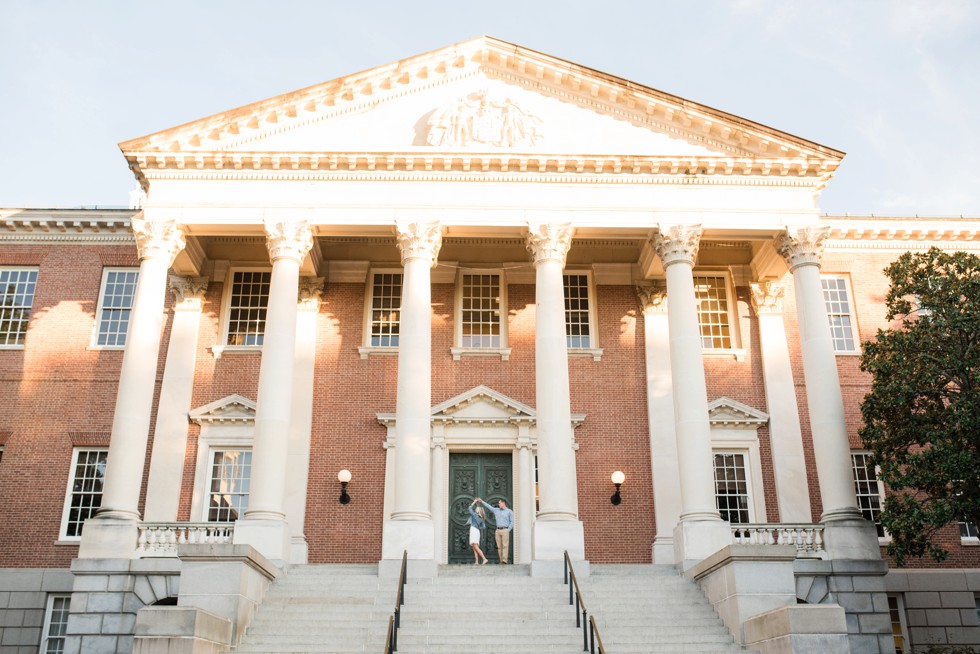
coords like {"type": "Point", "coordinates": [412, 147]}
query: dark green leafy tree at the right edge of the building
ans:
{"type": "Point", "coordinates": [922, 416]}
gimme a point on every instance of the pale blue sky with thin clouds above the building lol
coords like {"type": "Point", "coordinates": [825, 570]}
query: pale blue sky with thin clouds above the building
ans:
{"type": "Point", "coordinates": [895, 84]}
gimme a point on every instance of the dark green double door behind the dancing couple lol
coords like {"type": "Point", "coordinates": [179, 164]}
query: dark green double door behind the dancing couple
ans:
{"type": "Point", "coordinates": [489, 477]}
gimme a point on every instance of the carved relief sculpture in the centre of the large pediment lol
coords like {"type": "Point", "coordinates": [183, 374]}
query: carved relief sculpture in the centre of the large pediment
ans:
{"type": "Point", "coordinates": [479, 118]}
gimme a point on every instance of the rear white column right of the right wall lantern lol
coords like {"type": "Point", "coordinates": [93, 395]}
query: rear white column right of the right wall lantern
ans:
{"type": "Point", "coordinates": [660, 419]}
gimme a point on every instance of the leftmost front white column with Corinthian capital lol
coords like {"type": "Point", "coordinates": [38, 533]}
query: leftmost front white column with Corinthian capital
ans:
{"type": "Point", "coordinates": [115, 527]}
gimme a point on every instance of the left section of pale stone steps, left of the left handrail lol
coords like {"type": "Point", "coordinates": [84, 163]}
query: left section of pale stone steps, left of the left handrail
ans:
{"type": "Point", "coordinates": [323, 608]}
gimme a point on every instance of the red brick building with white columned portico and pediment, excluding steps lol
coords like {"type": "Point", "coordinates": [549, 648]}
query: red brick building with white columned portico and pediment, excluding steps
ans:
{"type": "Point", "coordinates": [483, 241]}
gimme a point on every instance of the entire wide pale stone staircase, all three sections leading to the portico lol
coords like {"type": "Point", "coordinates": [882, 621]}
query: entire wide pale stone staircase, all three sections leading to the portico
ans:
{"type": "Point", "coordinates": [481, 610]}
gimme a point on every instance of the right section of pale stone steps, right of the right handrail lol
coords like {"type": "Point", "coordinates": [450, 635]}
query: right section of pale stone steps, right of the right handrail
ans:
{"type": "Point", "coordinates": [653, 609]}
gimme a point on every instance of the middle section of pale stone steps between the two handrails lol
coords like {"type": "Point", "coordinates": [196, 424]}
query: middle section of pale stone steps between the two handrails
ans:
{"type": "Point", "coordinates": [487, 609]}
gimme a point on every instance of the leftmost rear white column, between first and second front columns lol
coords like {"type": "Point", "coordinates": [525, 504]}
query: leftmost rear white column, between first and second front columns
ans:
{"type": "Point", "coordinates": [170, 433]}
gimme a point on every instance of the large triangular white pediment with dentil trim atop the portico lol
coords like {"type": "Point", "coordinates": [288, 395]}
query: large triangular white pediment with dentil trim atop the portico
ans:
{"type": "Point", "coordinates": [482, 96]}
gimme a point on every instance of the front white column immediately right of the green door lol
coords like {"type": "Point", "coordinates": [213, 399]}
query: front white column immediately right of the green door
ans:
{"type": "Point", "coordinates": [557, 527]}
